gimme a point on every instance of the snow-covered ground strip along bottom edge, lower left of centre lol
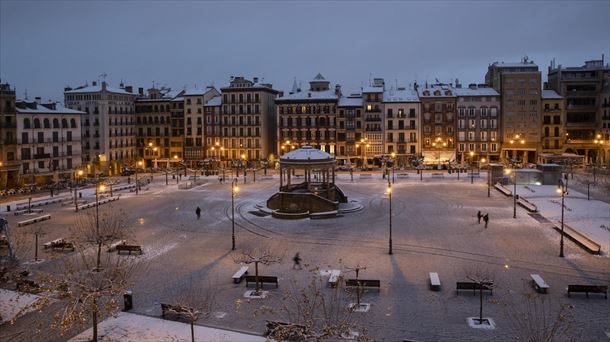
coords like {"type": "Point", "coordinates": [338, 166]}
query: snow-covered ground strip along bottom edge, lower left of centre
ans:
{"type": "Point", "coordinates": [131, 327]}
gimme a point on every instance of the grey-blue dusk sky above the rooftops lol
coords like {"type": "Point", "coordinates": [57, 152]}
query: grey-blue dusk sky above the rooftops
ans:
{"type": "Point", "coordinates": [46, 45]}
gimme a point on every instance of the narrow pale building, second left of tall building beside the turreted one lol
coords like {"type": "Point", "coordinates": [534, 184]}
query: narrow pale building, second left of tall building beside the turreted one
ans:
{"type": "Point", "coordinates": [194, 140]}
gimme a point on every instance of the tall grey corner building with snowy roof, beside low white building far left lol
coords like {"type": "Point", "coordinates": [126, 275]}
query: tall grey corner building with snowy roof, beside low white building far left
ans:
{"type": "Point", "coordinates": [108, 125]}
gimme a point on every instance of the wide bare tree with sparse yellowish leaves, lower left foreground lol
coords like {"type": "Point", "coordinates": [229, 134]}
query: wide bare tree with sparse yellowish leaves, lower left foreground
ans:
{"type": "Point", "coordinates": [90, 293]}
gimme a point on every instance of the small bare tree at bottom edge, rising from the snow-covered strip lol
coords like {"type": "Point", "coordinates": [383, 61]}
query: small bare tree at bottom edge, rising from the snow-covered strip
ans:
{"type": "Point", "coordinates": [196, 302]}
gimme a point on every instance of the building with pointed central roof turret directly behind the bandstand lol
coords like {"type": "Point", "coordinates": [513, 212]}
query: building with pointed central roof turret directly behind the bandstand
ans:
{"type": "Point", "coordinates": [309, 117]}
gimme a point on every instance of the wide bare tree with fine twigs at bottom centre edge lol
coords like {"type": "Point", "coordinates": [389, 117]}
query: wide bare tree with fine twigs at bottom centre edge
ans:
{"type": "Point", "coordinates": [314, 313]}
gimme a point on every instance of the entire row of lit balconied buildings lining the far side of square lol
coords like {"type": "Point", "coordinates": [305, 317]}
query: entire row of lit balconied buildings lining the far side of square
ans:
{"type": "Point", "coordinates": [511, 117]}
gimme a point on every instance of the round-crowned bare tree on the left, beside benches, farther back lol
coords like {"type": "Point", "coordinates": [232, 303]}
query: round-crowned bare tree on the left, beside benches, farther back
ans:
{"type": "Point", "coordinates": [101, 227]}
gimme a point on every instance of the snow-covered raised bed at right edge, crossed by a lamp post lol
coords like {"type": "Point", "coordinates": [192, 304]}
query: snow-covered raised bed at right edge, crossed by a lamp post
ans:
{"type": "Point", "coordinates": [581, 214]}
